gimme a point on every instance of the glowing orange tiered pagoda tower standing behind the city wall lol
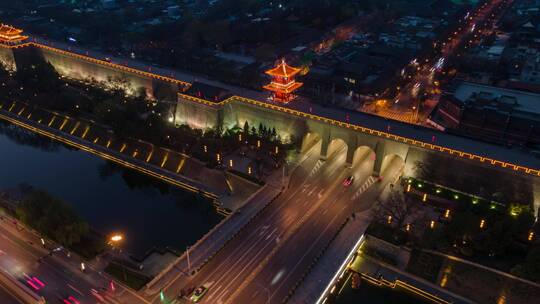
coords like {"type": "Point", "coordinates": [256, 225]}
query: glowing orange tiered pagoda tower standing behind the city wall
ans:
{"type": "Point", "coordinates": [283, 84]}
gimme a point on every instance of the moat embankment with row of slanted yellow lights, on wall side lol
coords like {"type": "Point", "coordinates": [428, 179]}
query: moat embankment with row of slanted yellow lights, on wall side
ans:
{"type": "Point", "coordinates": [227, 190]}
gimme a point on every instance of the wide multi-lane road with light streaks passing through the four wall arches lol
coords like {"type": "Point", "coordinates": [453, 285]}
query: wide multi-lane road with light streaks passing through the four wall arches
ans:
{"type": "Point", "coordinates": [272, 252]}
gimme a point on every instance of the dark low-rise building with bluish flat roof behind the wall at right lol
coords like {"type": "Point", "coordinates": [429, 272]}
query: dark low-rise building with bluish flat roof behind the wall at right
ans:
{"type": "Point", "coordinates": [490, 113]}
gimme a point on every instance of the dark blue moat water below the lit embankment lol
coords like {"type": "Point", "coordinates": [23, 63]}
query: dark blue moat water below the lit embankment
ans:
{"type": "Point", "coordinates": [110, 198]}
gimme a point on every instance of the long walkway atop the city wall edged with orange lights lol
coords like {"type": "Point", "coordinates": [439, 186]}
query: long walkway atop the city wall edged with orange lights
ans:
{"type": "Point", "coordinates": [513, 158]}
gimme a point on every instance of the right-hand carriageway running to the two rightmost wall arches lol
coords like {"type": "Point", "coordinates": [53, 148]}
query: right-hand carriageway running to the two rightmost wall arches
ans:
{"type": "Point", "coordinates": [291, 262]}
